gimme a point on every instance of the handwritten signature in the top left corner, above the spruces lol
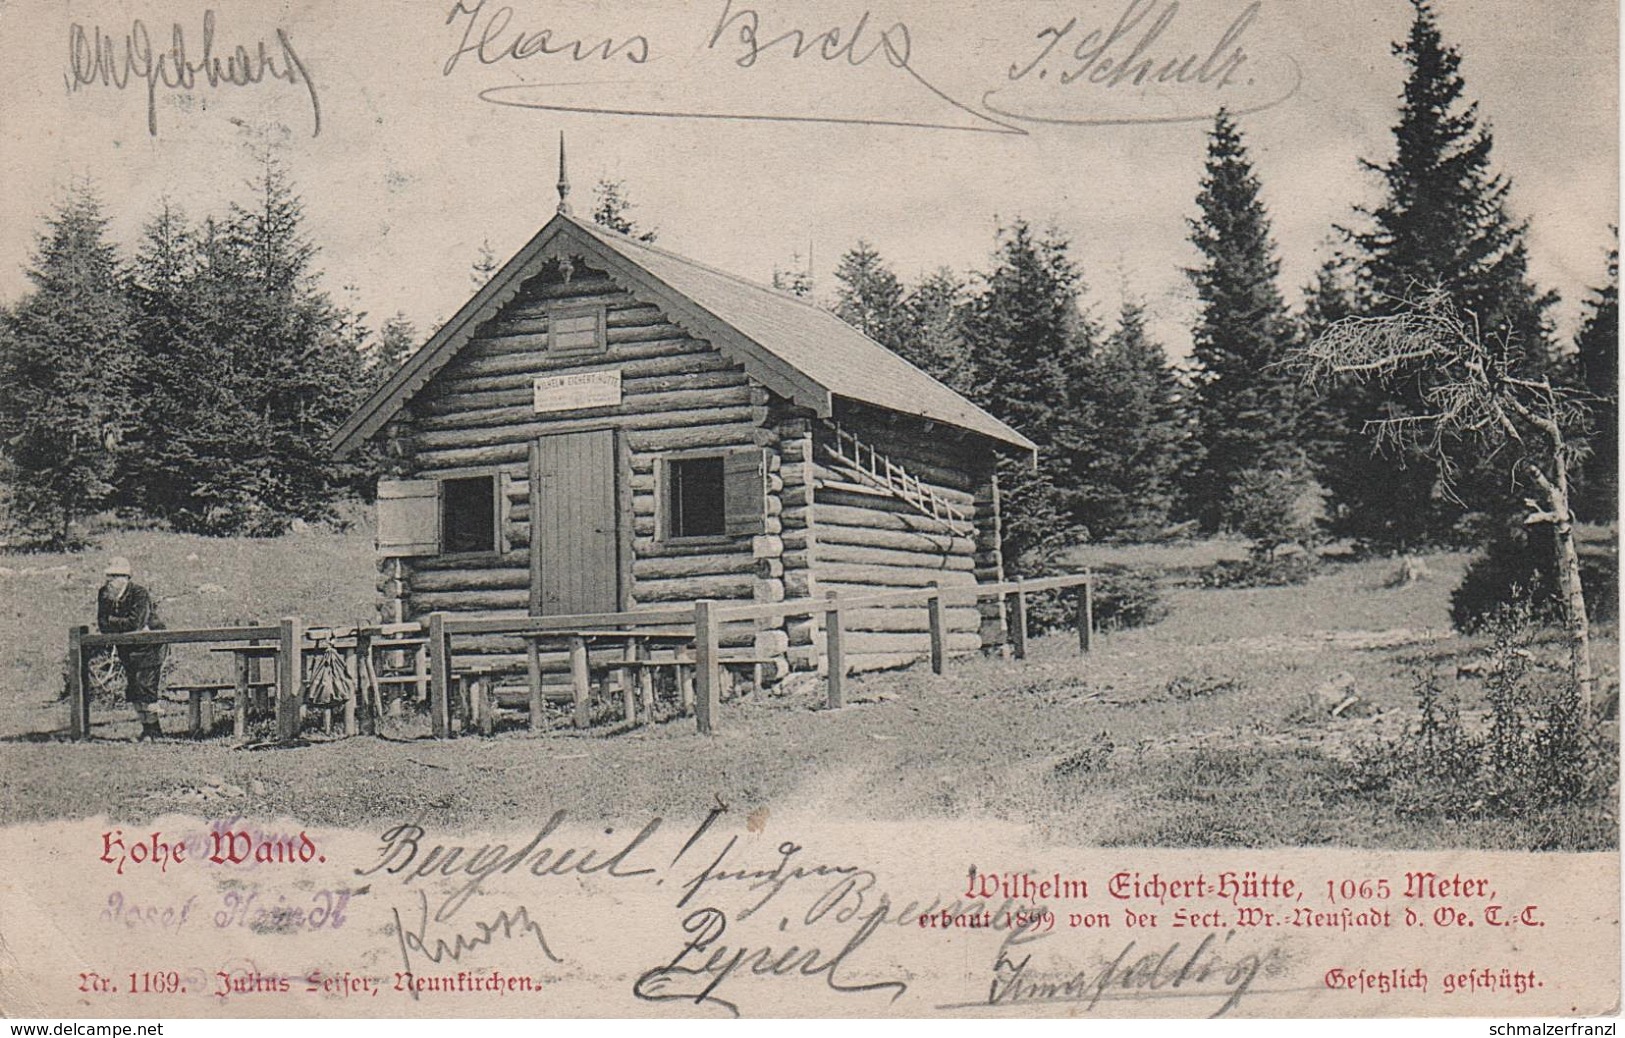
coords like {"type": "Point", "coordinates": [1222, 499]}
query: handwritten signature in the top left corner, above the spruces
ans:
{"type": "Point", "coordinates": [95, 58]}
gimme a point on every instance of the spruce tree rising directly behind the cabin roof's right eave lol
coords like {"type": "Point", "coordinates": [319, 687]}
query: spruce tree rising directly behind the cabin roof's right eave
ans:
{"type": "Point", "coordinates": [1021, 332]}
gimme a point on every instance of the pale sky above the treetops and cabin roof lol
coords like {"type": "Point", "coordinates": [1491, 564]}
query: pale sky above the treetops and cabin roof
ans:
{"type": "Point", "coordinates": [418, 131]}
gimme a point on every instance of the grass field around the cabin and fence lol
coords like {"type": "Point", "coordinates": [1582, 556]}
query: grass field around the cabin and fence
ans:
{"type": "Point", "coordinates": [1192, 732]}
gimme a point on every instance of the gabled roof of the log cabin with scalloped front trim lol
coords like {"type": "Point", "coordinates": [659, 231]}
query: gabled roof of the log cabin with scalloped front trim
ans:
{"type": "Point", "coordinates": [792, 347]}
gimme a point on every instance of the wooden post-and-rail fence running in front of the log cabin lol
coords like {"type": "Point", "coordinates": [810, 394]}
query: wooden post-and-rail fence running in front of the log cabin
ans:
{"type": "Point", "coordinates": [704, 620]}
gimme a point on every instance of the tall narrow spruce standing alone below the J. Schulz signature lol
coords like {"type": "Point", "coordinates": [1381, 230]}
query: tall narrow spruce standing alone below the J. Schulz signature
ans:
{"type": "Point", "coordinates": [1244, 399]}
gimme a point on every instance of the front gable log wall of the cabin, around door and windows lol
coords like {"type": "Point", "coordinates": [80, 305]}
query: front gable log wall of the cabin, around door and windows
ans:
{"type": "Point", "coordinates": [678, 394]}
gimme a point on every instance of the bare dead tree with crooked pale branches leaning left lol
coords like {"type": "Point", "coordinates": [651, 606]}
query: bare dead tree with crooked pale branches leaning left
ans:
{"type": "Point", "coordinates": [1471, 399]}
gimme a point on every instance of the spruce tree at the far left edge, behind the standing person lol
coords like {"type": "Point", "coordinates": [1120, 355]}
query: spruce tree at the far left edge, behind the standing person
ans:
{"type": "Point", "coordinates": [66, 370]}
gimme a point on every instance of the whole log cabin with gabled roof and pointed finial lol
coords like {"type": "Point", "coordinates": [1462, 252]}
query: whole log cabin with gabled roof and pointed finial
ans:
{"type": "Point", "coordinates": [609, 426]}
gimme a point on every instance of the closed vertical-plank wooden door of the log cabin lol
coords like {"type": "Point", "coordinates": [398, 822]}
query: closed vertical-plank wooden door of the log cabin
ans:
{"type": "Point", "coordinates": [574, 548]}
